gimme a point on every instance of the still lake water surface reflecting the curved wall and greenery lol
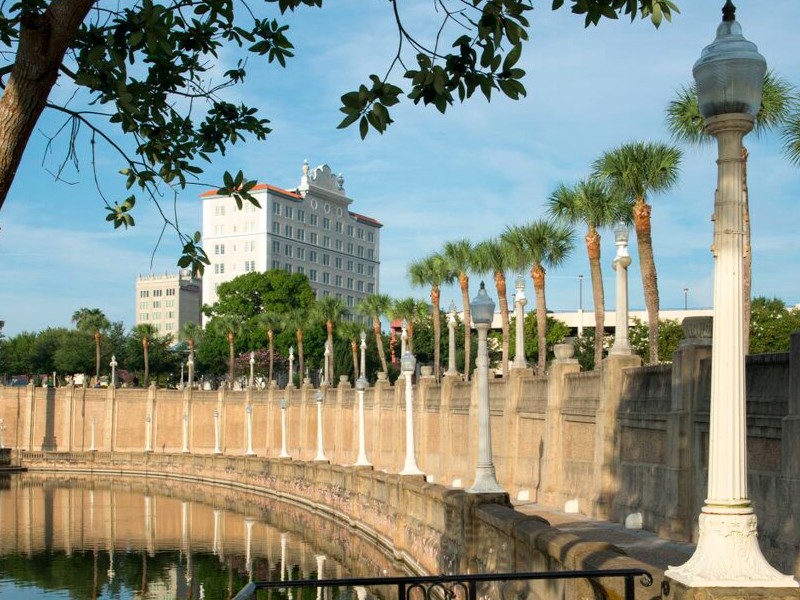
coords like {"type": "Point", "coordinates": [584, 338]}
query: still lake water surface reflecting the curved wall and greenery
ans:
{"type": "Point", "coordinates": [99, 537]}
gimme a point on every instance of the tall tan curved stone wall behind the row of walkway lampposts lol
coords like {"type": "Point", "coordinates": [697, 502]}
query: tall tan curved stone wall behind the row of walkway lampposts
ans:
{"type": "Point", "coordinates": [622, 440]}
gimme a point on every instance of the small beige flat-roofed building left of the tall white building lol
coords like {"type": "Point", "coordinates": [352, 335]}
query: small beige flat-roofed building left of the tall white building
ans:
{"type": "Point", "coordinates": [168, 301]}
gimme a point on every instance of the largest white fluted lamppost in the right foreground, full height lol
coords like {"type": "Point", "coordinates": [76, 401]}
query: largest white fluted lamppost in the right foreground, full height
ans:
{"type": "Point", "coordinates": [729, 76]}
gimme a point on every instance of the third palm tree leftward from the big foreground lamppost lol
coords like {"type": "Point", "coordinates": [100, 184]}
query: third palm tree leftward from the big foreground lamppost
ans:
{"type": "Point", "coordinates": [539, 244]}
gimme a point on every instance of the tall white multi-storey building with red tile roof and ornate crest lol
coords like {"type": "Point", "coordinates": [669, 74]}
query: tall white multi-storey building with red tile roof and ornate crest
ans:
{"type": "Point", "coordinates": [309, 230]}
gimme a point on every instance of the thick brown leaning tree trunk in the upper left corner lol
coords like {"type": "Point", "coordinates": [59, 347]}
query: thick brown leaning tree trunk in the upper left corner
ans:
{"type": "Point", "coordinates": [44, 38]}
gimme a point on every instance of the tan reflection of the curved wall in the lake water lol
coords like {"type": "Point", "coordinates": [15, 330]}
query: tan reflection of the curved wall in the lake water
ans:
{"type": "Point", "coordinates": [67, 514]}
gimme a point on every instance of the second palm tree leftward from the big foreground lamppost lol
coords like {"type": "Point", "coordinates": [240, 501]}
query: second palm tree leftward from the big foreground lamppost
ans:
{"type": "Point", "coordinates": [589, 203]}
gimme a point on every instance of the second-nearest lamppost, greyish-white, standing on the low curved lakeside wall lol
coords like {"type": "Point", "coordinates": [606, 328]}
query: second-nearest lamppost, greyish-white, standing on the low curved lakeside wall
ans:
{"type": "Point", "coordinates": [482, 313]}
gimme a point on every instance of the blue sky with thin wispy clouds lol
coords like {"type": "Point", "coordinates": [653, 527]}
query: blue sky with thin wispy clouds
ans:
{"type": "Point", "coordinates": [430, 178]}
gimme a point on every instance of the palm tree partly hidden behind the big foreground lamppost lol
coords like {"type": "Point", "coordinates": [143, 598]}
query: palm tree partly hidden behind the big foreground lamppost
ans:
{"type": "Point", "coordinates": [777, 105]}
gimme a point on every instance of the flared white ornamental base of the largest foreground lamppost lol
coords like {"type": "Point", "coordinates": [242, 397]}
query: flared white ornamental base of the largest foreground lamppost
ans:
{"type": "Point", "coordinates": [727, 553]}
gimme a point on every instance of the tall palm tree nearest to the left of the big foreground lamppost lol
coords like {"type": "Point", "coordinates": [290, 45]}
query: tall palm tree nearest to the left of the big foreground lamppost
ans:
{"type": "Point", "coordinates": [634, 171]}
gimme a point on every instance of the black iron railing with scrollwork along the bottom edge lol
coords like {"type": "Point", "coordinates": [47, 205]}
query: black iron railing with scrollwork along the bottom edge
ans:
{"type": "Point", "coordinates": [449, 586]}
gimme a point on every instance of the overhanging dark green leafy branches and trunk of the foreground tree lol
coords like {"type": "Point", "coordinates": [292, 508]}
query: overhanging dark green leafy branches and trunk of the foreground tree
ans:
{"type": "Point", "coordinates": [144, 69]}
